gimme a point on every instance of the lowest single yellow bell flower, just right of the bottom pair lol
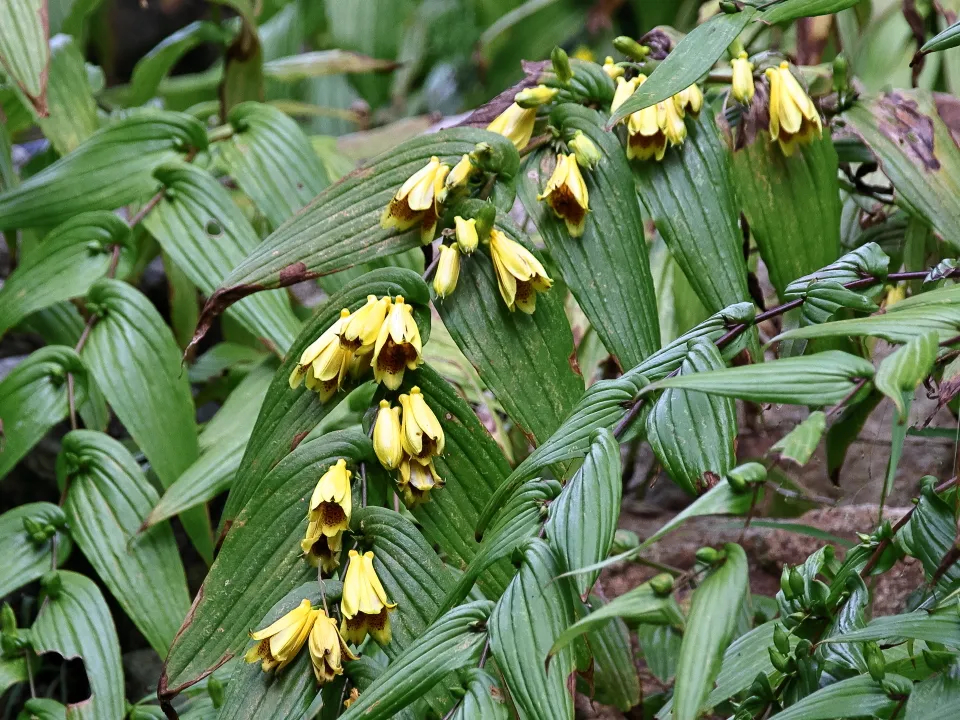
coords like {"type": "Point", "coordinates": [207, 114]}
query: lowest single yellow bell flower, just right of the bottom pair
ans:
{"type": "Point", "coordinates": [364, 605]}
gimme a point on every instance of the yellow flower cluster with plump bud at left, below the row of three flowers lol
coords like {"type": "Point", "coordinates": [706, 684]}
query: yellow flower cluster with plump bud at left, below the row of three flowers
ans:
{"type": "Point", "coordinates": [407, 439]}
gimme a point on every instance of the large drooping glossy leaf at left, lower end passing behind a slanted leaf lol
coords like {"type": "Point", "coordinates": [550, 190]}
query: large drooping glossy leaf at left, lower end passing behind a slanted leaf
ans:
{"type": "Point", "coordinates": [132, 355]}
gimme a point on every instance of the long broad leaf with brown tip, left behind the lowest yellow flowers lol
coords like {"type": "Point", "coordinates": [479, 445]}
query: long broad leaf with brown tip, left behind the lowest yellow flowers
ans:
{"type": "Point", "coordinates": [259, 562]}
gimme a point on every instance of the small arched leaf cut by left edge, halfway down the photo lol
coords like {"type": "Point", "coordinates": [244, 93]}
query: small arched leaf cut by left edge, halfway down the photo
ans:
{"type": "Point", "coordinates": [33, 398]}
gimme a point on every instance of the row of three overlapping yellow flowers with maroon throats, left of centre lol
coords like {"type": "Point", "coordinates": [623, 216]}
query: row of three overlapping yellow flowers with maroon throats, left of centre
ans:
{"type": "Point", "coordinates": [381, 335]}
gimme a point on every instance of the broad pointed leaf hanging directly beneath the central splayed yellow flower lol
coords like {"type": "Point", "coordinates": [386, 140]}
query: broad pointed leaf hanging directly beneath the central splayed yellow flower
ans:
{"type": "Point", "coordinates": [524, 359]}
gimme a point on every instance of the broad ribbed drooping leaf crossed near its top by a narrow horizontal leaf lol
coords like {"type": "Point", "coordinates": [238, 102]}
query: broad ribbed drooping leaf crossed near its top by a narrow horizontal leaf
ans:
{"type": "Point", "coordinates": [693, 434]}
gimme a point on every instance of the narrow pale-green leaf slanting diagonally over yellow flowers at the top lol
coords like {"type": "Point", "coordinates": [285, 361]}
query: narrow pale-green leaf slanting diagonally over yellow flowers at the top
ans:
{"type": "Point", "coordinates": [690, 60]}
